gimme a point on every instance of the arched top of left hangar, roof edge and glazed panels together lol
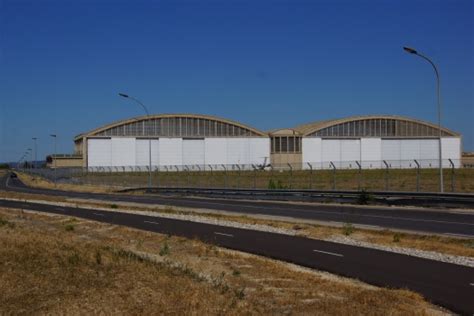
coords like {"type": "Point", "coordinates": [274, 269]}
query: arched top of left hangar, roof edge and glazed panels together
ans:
{"type": "Point", "coordinates": [173, 125]}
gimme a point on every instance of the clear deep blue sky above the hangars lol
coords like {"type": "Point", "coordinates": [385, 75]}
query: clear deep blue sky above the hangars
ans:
{"type": "Point", "coordinates": [268, 64]}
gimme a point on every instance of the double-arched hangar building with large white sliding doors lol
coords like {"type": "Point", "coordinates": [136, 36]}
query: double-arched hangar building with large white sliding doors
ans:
{"type": "Point", "coordinates": [201, 142]}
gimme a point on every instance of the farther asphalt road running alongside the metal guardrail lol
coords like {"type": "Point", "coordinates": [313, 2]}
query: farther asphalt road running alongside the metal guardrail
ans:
{"type": "Point", "coordinates": [420, 220]}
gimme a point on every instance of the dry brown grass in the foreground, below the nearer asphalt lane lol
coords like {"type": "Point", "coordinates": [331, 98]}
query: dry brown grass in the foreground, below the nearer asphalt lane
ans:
{"type": "Point", "coordinates": [97, 268]}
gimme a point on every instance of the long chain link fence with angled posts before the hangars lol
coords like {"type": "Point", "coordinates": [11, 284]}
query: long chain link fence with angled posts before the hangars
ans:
{"type": "Point", "coordinates": [400, 175]}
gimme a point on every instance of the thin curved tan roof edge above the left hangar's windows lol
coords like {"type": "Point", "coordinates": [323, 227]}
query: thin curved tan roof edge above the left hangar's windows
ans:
{"type": "Point", "coordinates": [161, 116]}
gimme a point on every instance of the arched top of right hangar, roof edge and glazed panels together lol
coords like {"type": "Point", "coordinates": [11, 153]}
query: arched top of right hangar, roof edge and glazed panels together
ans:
{"type": "Point", "coordinates": [373, 125]}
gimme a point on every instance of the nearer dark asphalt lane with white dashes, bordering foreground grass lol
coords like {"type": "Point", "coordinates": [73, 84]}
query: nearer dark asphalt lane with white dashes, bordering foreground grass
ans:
{"type": "Point", "coordinates": [448, 285]}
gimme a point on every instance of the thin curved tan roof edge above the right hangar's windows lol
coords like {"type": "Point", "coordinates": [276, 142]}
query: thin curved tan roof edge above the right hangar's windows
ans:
{"type": "Point", "coordinates": [313, 127]}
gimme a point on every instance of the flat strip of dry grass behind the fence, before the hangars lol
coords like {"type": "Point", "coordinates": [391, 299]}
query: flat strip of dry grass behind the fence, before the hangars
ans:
{"type": "Point", "coordinates": [370, 179]}
